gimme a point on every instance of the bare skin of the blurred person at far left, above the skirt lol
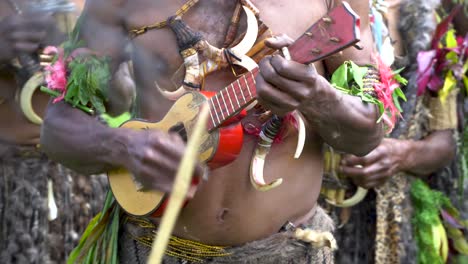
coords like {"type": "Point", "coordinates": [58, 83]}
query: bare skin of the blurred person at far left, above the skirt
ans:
{"type": "Point", "coordinates": [21, 34]}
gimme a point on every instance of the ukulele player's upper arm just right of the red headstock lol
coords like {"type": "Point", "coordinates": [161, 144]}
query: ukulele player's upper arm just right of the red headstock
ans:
{"type": "Point", "coordinates": [360, 57]}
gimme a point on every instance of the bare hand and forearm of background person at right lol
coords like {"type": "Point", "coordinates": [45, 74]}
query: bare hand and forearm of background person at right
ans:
{"type": "Point", "coordinates": [418, 157]}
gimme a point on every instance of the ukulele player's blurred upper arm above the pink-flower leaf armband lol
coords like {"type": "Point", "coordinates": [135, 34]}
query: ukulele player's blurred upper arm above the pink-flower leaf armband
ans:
{"type": "Point", "coordinates": [103, 29]}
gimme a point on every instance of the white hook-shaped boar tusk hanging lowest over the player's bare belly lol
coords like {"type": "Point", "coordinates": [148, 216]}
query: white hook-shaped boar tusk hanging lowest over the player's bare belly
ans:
{"type": "Point", "coordinates": [256, 171]}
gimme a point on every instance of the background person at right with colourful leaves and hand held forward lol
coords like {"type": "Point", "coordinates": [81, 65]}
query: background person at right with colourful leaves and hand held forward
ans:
{"type": "Point", "coordinates": [428, 143]}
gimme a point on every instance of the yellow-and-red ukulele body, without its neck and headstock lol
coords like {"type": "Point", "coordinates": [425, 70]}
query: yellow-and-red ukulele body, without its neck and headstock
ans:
{"type": "Point", "coordinates": [220, 147]}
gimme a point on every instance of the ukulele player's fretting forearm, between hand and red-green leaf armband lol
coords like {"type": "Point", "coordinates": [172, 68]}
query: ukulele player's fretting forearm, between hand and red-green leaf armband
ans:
{"type": "Point", "coordinates": [345, 122]}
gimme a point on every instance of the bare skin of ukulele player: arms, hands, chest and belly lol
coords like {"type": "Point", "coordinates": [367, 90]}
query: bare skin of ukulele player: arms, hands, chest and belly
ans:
{"type": "Point", "coordinates": [226, 210]}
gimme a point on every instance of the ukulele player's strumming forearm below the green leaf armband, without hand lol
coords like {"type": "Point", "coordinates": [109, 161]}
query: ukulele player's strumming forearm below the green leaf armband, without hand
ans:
{"type": "Point", "coordinates": [80, 141]}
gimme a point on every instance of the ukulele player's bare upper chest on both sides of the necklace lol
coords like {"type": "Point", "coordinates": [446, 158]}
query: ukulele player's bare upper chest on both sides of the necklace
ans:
{"type": "Point", "coordinates": [210, 18]}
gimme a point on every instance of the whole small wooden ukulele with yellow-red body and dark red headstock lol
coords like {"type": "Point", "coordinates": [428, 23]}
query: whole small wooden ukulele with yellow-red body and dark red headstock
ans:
{"type": "Point", "coordinates": [334, 32]}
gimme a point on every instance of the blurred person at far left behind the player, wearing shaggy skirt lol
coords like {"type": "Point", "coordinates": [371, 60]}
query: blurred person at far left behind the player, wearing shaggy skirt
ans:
{"type": "Point", "coordinates": [27, 236]}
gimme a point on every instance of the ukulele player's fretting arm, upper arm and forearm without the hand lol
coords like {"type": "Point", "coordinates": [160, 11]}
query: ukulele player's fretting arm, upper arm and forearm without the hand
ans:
{"type": "Point", "coordinates": [345, 122]}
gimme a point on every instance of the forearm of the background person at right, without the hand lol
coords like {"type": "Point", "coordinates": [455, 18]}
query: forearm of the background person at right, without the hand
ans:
{"type": "Point", "coordinates": [428, 155]}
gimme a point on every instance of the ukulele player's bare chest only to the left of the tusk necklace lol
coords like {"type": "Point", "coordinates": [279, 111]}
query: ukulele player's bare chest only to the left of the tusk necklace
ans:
{"type": "Point", "coordinates": [211, 20]}
